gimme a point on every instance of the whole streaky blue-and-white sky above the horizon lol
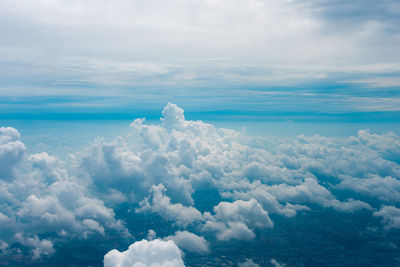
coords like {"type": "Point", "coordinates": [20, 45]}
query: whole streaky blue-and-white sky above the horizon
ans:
{"type": "Point", "coordinates": [268, 57]}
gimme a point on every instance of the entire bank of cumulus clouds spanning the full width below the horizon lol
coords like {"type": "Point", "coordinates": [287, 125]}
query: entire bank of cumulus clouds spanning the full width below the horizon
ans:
{"type": "Point", "coordinates": [204, 181]}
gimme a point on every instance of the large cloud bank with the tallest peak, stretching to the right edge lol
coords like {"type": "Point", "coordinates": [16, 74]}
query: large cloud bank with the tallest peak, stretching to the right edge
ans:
{"type": "Point", "coordinates": [283, 176]}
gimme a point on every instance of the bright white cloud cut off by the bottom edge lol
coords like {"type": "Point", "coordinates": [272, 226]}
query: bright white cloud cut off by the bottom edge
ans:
{"type": "Point", "coordinates": [146, 253]}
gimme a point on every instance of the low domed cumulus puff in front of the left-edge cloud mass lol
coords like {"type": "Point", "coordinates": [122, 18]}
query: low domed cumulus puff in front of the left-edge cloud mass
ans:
{"type": "Point", "coordinates": [65, 207]}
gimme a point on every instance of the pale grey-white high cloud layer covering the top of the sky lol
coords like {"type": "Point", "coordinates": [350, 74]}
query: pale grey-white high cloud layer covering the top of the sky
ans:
{"type": "Point", "coordinates": [321, 39]}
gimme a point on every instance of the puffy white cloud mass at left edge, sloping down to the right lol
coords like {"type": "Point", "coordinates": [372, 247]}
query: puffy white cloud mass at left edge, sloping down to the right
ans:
{"type": "Point", "coordinates": [41, 198]}
